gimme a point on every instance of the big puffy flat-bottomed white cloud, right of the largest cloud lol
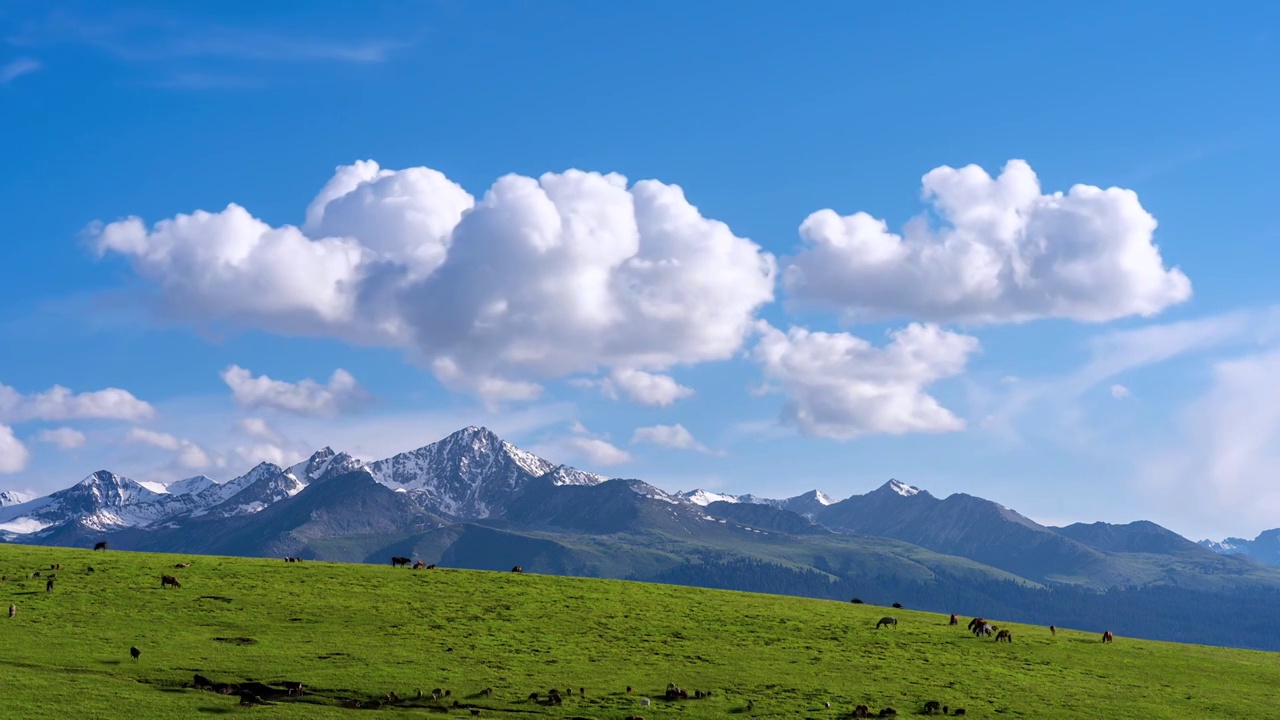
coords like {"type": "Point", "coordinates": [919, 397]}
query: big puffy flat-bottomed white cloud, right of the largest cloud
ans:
{"type": "Point", "coordinates": [1007, 253]}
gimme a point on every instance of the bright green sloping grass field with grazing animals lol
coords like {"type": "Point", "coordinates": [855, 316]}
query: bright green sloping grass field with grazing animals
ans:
{"type": "Point", "coordinates": [362, 632]}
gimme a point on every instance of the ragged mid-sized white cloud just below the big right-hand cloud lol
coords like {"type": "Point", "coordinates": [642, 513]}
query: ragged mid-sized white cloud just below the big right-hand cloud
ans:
{"type": "Point", "coordinates": [840, 386]}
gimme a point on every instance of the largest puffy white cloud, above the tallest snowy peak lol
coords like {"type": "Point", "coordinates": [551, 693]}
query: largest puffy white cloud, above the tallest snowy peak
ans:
{"type": "Point", "coordinates": [542, 279]}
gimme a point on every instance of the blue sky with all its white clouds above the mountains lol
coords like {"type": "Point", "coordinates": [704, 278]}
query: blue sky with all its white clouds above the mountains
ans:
{"type": "Point", "coordinates": [1014, 252]}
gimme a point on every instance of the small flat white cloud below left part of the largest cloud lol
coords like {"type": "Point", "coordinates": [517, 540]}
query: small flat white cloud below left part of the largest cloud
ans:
{"type": "Point", "coordinates": [308, 398]}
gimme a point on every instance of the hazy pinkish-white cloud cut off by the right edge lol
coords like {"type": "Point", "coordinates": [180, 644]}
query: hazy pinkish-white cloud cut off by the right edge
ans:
{"type": "Point", "coordinates": [1227, 454]}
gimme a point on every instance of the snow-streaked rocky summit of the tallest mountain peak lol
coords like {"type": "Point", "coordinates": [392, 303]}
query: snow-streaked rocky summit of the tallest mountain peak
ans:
{"type": "Point", "coordinates": [470, 475]}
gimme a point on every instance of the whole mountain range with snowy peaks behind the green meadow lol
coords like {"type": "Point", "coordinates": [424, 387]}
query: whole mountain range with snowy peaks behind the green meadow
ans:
{"type": "Point", "coordinates": [474, 500]}
